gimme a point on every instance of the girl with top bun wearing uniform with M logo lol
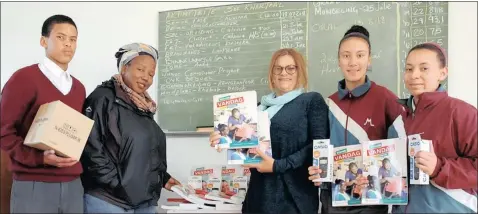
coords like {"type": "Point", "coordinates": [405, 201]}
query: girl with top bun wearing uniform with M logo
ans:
{"type": "Point", "coordinates": [360, 110]}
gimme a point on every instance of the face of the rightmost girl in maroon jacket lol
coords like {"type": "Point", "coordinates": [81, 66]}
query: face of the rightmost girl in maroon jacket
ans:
{"type": "Point", "coordinates": [423, 72]}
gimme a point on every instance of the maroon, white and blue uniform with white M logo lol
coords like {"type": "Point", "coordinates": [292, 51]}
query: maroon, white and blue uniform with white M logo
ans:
{"type": "Point", "coordinates": [368, 112]}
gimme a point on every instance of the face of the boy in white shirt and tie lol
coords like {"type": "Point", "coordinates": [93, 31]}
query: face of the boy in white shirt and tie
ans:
{"type": "Point", "coordinates": [60, 44]}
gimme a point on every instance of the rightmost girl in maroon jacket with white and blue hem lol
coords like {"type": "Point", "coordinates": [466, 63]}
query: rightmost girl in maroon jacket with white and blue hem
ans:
{"type": "Point", "coordinates": [450, 124]}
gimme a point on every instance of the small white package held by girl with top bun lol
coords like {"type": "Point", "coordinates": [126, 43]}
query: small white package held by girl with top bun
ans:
{"type": "Point", "coordinates": [323, 157]}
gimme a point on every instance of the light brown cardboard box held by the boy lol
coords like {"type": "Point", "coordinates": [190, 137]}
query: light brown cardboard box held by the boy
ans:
{"type": "Point", "coordinates": [61, 128]}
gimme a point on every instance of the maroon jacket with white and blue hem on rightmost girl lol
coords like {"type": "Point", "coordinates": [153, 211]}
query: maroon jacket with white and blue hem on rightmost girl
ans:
{"type": "Point", "coordinates": [451, 125]}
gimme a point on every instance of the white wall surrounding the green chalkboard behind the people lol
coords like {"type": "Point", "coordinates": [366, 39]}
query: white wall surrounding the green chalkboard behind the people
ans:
{"type": "Point", "coordinates": [137, 22]}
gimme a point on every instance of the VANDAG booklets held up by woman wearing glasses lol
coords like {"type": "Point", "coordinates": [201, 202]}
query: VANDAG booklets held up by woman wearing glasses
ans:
{"type": "Point", "coordinates": [242, 126]}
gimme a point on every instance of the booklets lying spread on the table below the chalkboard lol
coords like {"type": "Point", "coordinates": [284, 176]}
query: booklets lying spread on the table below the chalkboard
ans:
{"type": "Point", "coordinates": [211, 187]}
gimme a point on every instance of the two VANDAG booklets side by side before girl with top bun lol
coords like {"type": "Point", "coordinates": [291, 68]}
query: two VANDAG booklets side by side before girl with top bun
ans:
{"type": "Point", "coordinates": [372, 173]}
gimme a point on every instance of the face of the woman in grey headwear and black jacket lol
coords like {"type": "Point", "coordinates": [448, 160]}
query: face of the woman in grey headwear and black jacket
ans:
{"type": "Point", "coordinates": [139, 73]}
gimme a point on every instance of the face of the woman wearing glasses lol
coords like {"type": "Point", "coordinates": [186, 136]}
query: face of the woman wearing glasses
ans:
{"type": "Point", "coordinates": [284, 74]}
